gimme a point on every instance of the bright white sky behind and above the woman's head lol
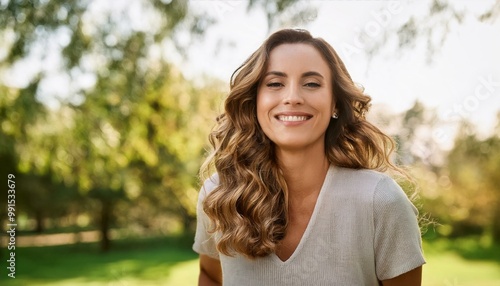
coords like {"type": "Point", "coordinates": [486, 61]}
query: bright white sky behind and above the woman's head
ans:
{"type": "Point", "coordinates": [461, 82]}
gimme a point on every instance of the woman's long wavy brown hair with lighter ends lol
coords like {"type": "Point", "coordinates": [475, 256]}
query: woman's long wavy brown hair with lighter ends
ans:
{"type": "Point", "coordinates": [249, 206]}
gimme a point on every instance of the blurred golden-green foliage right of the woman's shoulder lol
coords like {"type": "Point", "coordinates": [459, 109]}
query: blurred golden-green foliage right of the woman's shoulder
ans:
{"type": "Point", "coordinates": [458, 190]}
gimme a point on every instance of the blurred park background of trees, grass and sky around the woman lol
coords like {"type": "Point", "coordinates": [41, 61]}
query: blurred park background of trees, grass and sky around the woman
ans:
{"type": "Point", "coordinates": [105, 108]}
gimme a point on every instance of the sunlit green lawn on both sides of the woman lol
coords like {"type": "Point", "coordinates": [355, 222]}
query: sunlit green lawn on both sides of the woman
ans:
{"type": "Point", "coordinates": [170, 261]}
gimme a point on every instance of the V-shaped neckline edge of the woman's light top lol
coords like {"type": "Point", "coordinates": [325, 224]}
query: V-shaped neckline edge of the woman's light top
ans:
{"type": "Point", "coordinates": [311, 223]}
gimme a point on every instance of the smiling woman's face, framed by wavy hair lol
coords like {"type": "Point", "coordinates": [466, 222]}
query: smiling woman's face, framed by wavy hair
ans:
{"type": "Point", "coordinates": [294, 99]}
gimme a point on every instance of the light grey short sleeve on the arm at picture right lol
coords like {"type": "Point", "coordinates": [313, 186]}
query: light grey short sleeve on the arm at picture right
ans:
{"type": "Point", "coordinates": [397, 240]}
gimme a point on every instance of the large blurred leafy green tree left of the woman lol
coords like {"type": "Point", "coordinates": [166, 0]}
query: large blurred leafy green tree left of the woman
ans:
{"type": "Point", "coordinates": [124, 116]}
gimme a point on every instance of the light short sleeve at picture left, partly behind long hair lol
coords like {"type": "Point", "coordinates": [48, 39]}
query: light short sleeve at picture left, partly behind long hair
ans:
{"type": "Point", "coordinates": [204, 242]}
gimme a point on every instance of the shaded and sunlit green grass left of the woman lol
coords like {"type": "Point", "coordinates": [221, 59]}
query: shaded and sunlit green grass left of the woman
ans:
{"type": "Point", "coordinates": [159, 261]}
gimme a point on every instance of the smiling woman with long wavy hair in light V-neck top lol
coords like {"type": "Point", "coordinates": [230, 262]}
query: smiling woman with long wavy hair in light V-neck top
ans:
{"type": "Point", "coordinates": [299, 197]}
